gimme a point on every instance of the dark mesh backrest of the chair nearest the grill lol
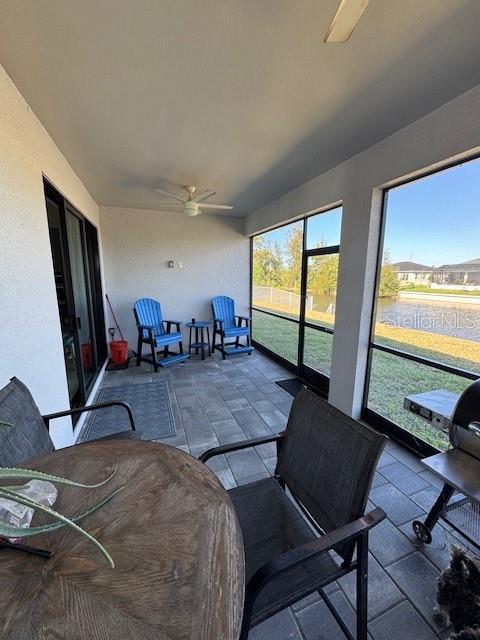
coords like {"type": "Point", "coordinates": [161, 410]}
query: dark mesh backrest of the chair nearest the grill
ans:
{"type": "Point", "coordinates": [328, 460]}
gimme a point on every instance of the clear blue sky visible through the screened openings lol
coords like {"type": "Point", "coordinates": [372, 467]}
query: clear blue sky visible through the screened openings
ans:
{"type": "Point", "coordinates": [433, 220]}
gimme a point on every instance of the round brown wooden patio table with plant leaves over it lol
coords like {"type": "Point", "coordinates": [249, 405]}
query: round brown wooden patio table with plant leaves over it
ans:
{"type": "Point", "coordinates": [172, 533]}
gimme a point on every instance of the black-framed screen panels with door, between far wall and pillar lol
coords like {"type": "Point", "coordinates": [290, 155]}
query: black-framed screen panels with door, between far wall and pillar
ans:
{"type": "Point", "coordinates": [294, 283]}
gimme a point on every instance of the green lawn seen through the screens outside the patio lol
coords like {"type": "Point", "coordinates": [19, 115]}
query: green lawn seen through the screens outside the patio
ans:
{"type": "Point", "coordinates": [392, 377]}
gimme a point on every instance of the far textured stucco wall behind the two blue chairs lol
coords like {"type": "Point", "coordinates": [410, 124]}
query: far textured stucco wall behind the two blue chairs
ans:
{"type": "Point", "coordinates": [137, 244]}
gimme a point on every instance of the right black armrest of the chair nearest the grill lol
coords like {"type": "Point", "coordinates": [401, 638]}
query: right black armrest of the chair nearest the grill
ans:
{"type": "Point", "coordinates": [305, 552]}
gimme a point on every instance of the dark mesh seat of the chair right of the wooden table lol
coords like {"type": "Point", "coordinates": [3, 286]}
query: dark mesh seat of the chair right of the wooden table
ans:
{"type": "Point", "coordinates": [272, 525]}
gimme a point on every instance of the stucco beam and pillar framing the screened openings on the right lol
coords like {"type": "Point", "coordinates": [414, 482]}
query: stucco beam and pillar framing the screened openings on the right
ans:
{"type": "Point", "coordinates": [451, 132]}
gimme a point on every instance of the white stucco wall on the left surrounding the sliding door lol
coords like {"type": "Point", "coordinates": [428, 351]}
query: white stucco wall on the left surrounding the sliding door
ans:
{"type": "Point", "coordinates": [30, 335]}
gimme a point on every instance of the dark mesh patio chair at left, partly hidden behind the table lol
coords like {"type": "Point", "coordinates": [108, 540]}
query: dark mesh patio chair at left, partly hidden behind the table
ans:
{"type": "Point", "coordinates": [28, 436]}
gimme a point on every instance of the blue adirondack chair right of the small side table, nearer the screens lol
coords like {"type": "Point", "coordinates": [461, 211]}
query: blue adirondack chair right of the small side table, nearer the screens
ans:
{"type": "Point", "coordinates": [226, 324]}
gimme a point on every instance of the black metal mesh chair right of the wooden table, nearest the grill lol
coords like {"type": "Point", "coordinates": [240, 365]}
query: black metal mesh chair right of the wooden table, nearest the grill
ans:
{"type": "Point", "coordinates": [326, 460]}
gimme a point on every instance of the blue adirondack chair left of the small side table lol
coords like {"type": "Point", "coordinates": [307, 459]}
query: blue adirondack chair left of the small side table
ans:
{"type": "Point", "coordinates": [157, 332]}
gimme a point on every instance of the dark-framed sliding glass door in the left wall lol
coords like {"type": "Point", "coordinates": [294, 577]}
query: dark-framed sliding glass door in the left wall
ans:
{"type": "Point", "coordinates": [75, 259]}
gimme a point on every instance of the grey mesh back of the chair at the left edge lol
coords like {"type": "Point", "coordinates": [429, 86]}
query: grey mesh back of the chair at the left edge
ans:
{"type": "Point", "coordinates": [28, 438]}
